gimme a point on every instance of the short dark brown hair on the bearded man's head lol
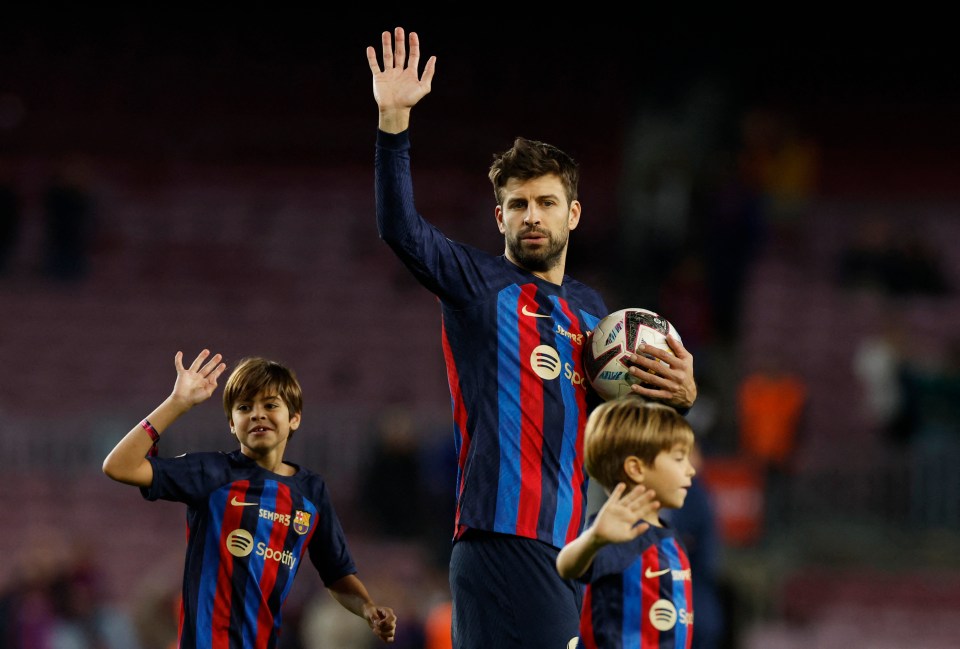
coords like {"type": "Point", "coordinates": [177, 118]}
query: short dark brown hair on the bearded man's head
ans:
{"type": "Point", "coordinates": [528, 159]}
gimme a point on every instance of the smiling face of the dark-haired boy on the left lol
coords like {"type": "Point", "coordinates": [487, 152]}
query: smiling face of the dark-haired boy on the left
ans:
{"type": "Point", "coordinates": [264, 423]}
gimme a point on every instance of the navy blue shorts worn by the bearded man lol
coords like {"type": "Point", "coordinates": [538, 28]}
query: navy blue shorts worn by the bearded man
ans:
{"type": "Point", "coordinates": [507, 594]}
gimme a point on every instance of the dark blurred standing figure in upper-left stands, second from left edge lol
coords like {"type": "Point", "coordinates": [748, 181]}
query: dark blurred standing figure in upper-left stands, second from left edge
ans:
{"type": "Point", "coordinates": [69, 212]}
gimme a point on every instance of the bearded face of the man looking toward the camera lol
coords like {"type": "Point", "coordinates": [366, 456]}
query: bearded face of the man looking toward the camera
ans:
{"type": "Point", "coordinates": [536, 220]}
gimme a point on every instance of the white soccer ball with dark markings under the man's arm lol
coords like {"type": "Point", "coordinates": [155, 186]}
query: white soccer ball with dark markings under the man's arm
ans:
{"type": "Point", "coordinates": [605, 360]}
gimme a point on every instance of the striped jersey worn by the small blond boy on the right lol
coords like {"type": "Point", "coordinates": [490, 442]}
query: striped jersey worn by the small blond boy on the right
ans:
{"type": "Point", "coordinates": [639, 595]}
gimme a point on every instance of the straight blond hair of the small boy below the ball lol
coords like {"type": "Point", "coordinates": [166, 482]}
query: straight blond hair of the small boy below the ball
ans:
{"type": "Point", "coordinates": [628, 426]}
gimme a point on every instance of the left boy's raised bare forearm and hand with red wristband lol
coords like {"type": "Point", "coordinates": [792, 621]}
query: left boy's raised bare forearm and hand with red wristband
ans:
{"type": "Point", "coordinates": [127, 461]}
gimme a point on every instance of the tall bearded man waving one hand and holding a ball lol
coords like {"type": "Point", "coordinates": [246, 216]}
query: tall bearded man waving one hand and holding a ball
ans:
{"type": "Point", "coordinates": [514, 330]}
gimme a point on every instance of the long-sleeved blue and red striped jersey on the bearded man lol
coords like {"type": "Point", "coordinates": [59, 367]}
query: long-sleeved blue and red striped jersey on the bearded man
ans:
{"type": "Point", "coordinates": [513, 346]}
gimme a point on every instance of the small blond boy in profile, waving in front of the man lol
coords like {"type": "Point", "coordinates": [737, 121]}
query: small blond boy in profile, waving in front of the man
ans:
{"type": "Point", "coordinates": [635, 567]}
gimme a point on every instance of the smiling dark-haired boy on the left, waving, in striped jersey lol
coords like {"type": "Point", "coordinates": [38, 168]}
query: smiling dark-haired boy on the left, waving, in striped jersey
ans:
{"type": "Point", "coordinates": [251, 516]}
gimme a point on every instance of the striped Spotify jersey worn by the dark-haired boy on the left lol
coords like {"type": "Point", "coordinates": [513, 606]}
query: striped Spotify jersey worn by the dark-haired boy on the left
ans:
{"type": "Point", "coordinates": [248, 531]}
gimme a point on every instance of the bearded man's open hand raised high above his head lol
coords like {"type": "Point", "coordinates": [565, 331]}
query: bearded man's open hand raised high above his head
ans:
{"type": "Point", "coordinates": [398, 86]}
